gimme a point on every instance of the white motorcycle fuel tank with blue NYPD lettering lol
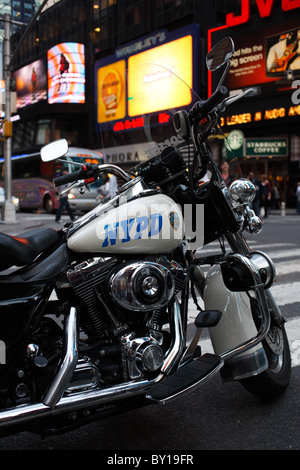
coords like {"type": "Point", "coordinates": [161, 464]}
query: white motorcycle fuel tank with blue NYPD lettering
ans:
{"type": "Point", "coordinates": [144, 225]}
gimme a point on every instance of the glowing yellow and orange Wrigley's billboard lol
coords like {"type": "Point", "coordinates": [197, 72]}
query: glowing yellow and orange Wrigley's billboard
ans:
{"type": "Point", "coordinates": [126, 82]}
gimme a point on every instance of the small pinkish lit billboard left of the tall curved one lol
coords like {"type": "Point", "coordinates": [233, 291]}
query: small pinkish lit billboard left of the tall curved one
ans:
{"type": "Point", "coordinates": [31, 83]}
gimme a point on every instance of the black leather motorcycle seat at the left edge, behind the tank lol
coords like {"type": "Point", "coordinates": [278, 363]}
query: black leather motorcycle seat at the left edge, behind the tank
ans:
{"type": "Point", "coordinates": [23, 249]}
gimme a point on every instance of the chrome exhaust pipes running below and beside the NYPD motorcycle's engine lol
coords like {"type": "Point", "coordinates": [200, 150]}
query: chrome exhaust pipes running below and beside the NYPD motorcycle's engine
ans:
{"type": "Point", "coordinates": [95, 397]}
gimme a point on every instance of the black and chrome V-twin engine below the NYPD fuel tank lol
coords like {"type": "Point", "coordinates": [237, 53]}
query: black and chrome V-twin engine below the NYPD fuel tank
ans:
{"type": "Point", "coordinates": [123, 307]}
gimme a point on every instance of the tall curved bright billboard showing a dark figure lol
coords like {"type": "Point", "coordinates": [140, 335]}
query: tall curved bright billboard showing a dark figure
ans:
{"type": "Point", "coordinates": [66, 73]}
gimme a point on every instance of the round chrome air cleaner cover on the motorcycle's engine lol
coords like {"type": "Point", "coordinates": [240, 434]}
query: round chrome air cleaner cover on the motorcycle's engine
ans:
{"type": "Point", "coordinates": [142, 286]}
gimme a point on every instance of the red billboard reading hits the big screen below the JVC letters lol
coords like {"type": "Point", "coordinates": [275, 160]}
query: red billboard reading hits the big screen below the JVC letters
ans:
{"type": "Point", "coordinates": [266, 59]}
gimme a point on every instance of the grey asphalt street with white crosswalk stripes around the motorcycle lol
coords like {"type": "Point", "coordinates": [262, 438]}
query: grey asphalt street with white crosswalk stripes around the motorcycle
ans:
{"type": "Point", "coordinates": [217, 416]}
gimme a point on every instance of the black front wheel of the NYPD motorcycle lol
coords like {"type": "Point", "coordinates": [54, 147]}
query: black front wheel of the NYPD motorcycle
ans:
{"type": "Point", "coordinates": [273, 381]}
